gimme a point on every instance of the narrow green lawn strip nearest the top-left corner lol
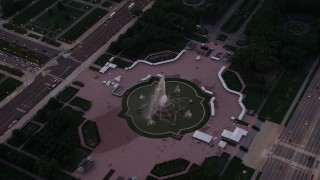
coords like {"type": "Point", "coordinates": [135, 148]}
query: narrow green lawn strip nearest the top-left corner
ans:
{"type": "Point", "coordinates": [32, 11]}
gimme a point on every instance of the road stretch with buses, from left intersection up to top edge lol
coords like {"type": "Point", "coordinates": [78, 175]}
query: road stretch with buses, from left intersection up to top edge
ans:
{"type": "Point", "coordinates": [105, 31]}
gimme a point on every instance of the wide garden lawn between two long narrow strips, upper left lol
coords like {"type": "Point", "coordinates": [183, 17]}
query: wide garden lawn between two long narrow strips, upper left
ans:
{"type": "Point", "coordinates": [59, 19]}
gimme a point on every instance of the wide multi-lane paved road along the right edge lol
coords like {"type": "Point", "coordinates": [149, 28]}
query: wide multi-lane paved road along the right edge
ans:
{"type": "Point", "coordinates": [296, 155]}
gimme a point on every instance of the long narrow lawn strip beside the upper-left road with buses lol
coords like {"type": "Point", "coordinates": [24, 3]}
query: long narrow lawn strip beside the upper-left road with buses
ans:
{"type": "Point", "coordinates": [82, 26]}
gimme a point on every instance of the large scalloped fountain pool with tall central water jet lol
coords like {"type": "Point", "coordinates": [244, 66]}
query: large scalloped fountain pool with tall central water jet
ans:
{"type": "Point", "coordinates": [165, 106]}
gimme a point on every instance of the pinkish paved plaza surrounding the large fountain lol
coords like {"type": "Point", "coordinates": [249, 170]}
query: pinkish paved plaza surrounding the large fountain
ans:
{"type": "Point", "coordinates": [131, 155]}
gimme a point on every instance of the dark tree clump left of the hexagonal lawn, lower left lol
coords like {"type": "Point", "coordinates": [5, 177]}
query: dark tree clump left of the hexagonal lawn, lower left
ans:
{"type": "Point", "coordinates": [59, 139]}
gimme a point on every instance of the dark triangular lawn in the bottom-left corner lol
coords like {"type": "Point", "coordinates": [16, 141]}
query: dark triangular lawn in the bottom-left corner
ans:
{"type": "Point", "coordinates": [9, 173]}
